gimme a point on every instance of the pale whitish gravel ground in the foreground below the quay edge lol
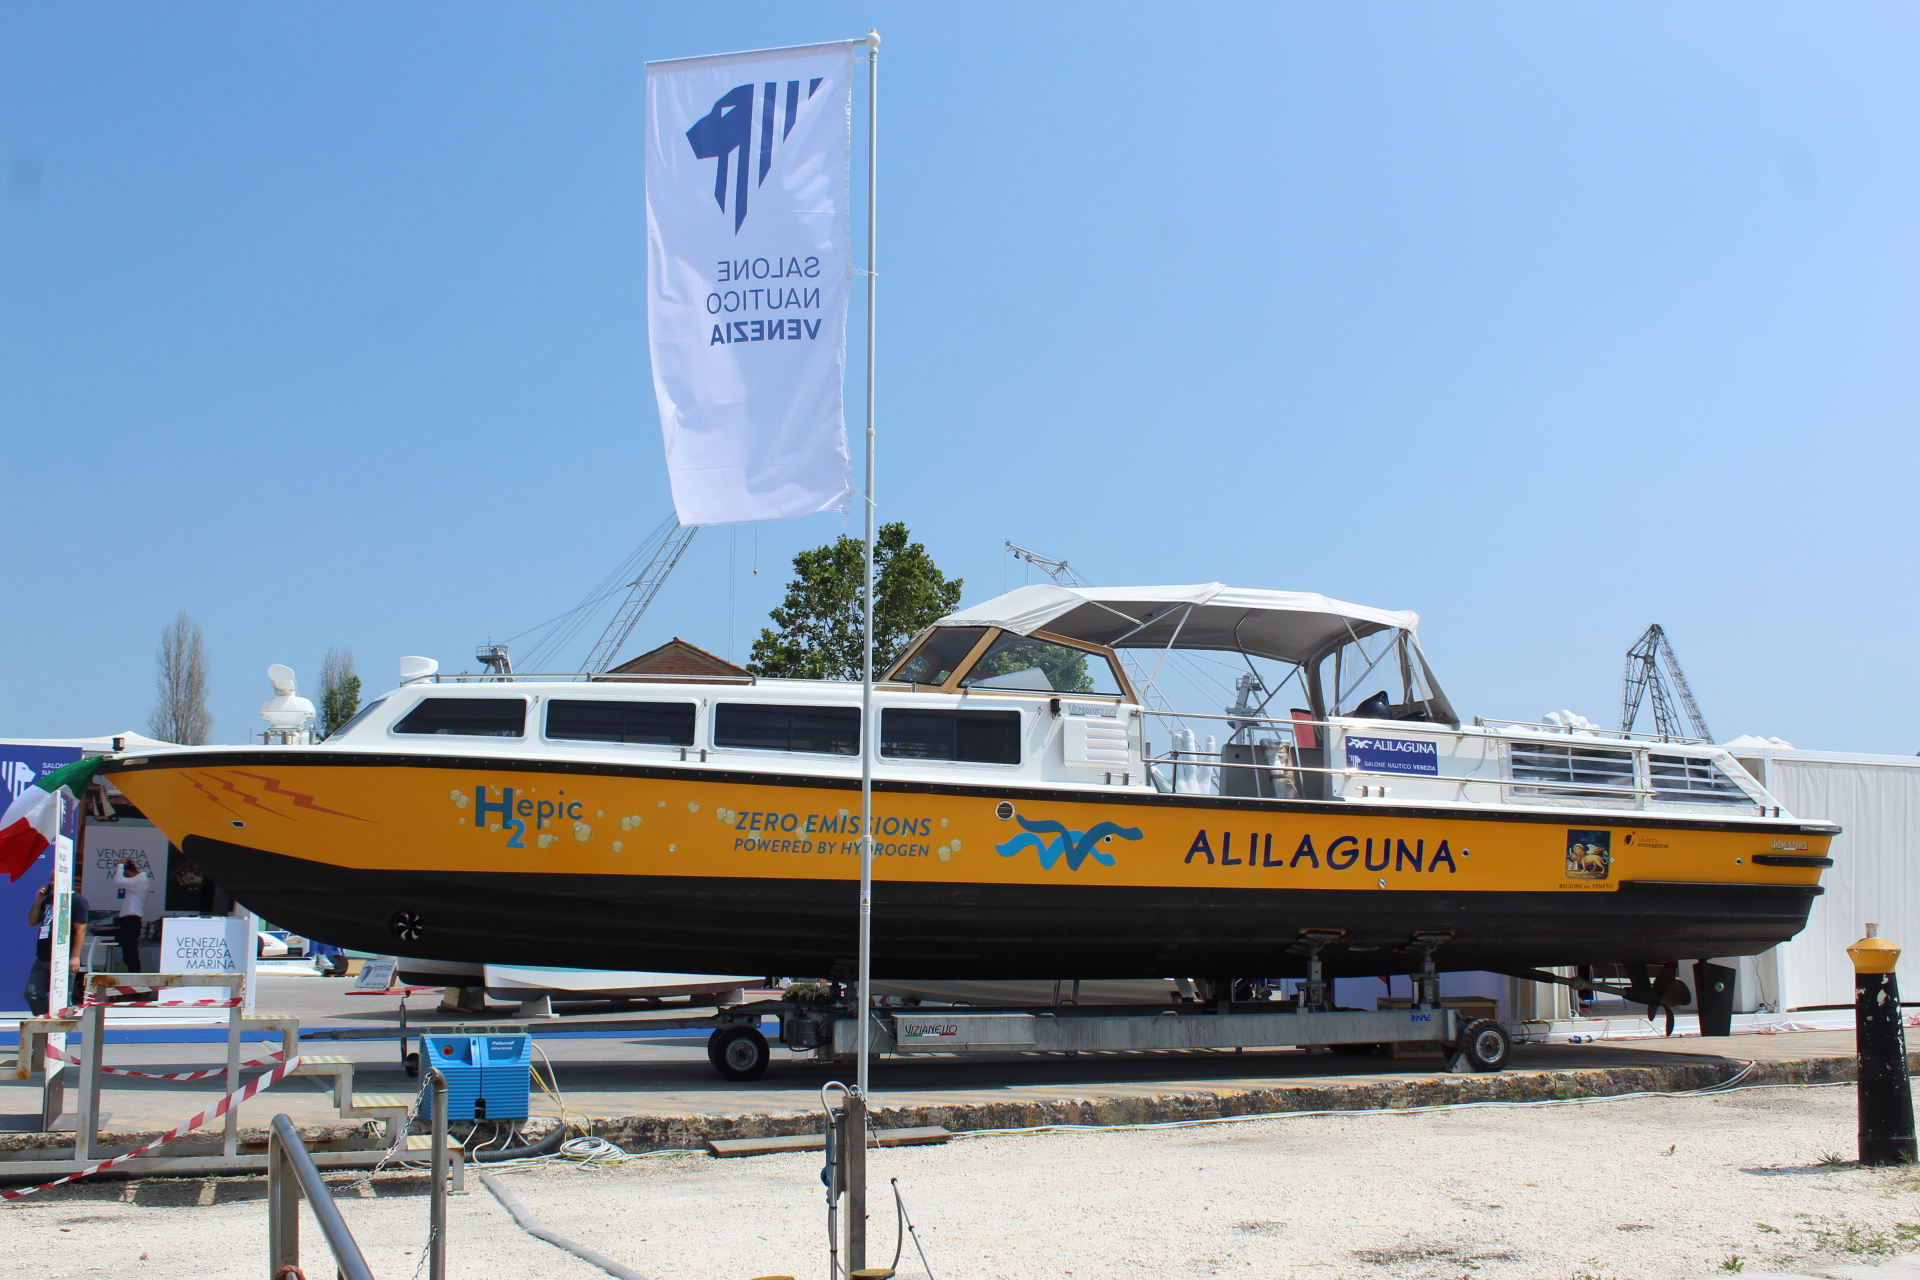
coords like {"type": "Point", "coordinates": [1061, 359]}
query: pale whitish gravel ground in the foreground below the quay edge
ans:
{"type": "Point", "coordinates": [1644, 1189]}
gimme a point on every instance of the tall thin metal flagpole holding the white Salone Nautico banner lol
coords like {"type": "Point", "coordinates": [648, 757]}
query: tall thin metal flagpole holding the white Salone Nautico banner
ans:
{"type": "Point", "coordinates": [865, 989]}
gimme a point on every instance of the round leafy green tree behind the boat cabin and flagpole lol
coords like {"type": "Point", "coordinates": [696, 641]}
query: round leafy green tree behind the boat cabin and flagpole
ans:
{"type": "Point", "coordinates": [819, 625]}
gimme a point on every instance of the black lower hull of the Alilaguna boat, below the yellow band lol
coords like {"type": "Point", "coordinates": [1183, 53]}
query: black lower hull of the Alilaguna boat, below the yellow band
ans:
{"type": "Point", "coordinates": [986, 932]}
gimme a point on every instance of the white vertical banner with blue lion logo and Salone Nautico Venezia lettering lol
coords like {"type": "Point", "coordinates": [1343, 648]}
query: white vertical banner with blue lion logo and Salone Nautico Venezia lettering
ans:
{"type": "Point", "coordinates": [748, 266]}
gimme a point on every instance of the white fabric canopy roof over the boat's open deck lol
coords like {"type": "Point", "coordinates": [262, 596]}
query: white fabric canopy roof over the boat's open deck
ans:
{"type": "Point", "coordinates": [1289, 627]}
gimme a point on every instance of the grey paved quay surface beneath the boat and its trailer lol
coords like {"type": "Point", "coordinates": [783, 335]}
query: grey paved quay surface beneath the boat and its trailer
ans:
{"type": "Point", "coordinates": [667, 1074]}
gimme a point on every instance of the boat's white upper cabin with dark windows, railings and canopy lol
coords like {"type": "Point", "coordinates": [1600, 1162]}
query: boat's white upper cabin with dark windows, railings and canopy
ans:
{"type": "Point", "coordinates": [1059, 686]}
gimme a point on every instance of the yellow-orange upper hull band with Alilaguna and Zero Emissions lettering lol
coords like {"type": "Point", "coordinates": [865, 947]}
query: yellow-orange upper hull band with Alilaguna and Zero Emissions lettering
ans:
{"type": "Point", "coordinates": [540, 822]}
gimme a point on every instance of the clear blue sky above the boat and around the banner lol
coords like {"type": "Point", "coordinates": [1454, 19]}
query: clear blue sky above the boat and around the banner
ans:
{"type": "Point", "coordinates": [327, 323]}
